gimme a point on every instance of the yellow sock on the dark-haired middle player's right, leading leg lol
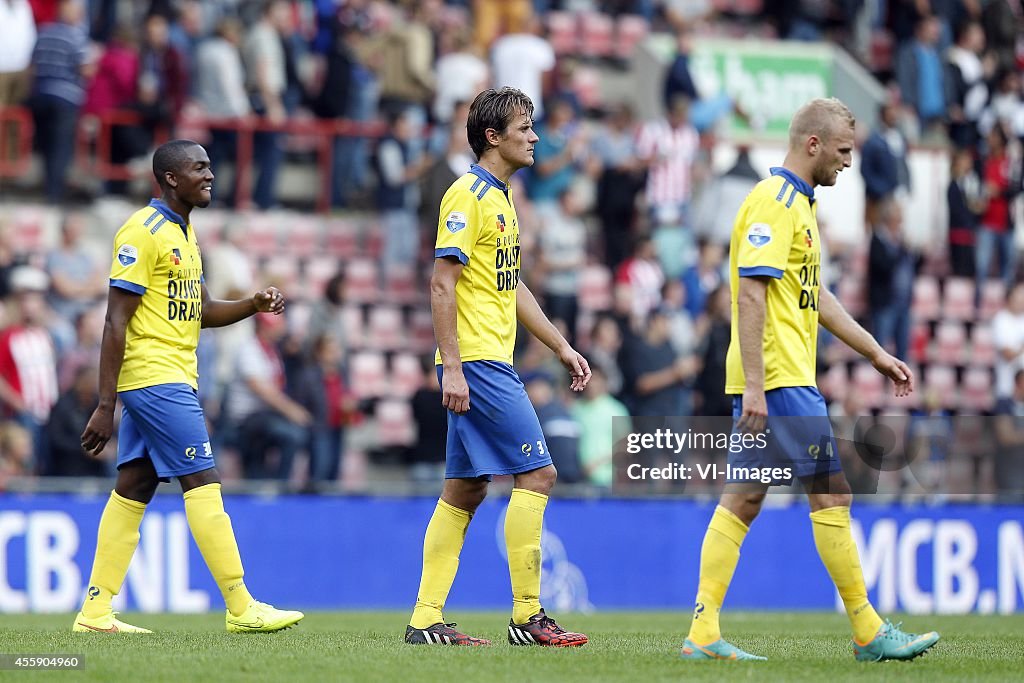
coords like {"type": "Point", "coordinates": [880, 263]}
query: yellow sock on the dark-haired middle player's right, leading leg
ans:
{"type": "Point", "coordinates": [524, 523]}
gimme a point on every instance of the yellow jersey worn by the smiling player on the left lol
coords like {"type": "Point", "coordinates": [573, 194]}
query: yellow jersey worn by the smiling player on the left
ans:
{"type": "Point", "coordinates": [156, 255]}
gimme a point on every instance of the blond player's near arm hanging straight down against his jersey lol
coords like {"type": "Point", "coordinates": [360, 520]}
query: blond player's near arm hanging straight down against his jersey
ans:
{"type": "Point", "coordinates": [751, 305]}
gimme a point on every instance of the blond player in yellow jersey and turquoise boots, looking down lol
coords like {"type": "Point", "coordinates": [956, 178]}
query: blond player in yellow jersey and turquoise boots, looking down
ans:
{"type": "Point", "coordinates": [778, 305]}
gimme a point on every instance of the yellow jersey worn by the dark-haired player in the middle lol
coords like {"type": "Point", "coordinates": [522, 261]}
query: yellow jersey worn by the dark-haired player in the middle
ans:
{"type": "Point", "coordinates": [478, 225]}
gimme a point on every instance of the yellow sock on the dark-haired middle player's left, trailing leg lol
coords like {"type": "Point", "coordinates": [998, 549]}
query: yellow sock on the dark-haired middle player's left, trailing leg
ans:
{"type": "Point", "coordinates": [442, 546]}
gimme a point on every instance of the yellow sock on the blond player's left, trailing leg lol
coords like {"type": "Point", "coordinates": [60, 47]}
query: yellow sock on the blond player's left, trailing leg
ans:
{"type": "Point", "coordinates": [719, 556]}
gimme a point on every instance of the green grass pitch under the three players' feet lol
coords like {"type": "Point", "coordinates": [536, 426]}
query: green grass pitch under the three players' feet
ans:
{"type": "Point", "coordinates": [636, 648]}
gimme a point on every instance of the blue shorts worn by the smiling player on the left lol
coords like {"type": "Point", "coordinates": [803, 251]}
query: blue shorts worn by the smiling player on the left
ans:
{"type": "Point", "coordinates": [165, 424]}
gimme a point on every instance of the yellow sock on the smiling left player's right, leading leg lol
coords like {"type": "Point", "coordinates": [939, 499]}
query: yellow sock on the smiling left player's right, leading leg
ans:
{"type": "Point", "coordinates": [212, 530]}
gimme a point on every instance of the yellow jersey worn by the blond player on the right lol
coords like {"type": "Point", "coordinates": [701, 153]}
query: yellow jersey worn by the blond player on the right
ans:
{"type": "Point", "coordinates": [777, 235]}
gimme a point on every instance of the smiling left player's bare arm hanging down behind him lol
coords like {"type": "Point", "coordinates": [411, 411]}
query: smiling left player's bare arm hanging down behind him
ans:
{"type": "Point", "coordinates": [121, 307]}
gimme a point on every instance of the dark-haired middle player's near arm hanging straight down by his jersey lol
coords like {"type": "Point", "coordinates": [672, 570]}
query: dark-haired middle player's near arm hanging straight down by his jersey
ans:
{"type": "Point", "coordinates": [455, 391]}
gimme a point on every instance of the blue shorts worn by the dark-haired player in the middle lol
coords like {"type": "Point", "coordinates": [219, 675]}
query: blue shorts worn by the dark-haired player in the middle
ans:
{"type": "Point", "coordinates": [500, 435]}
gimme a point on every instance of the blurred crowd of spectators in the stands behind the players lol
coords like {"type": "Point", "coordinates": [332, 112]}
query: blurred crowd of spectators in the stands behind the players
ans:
{"type": "Point", "coordinates": [635, 198]}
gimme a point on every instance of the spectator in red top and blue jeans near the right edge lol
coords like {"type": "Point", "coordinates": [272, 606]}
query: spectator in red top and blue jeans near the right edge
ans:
{"type": "Point", "coordinates": [996, 235]}
